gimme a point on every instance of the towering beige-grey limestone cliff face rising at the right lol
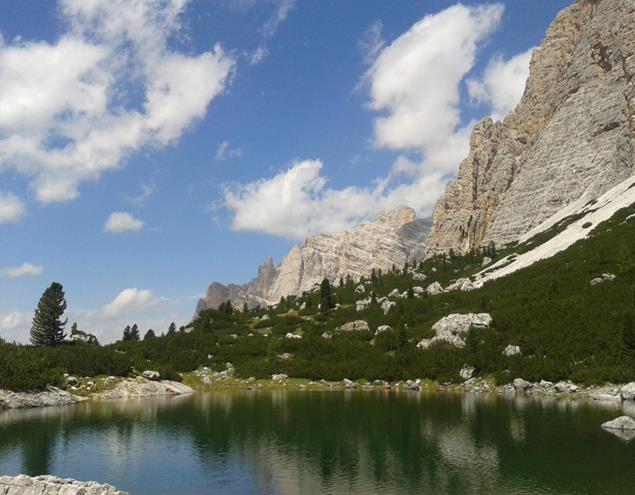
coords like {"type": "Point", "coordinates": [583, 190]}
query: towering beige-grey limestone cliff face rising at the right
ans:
{"type": "Point", "coordinates": [572, 135]}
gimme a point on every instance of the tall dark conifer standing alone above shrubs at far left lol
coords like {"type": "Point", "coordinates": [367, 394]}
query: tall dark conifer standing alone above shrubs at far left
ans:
{"type": "Point", "coordinates": [48, 328]}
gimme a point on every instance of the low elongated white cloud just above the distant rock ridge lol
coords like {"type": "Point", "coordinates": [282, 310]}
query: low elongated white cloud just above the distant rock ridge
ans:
{"type": "Point", "coordinates": [297, 202]}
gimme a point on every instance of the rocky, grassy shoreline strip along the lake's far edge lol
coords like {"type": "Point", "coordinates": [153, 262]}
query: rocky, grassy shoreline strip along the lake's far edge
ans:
{"type": "Point", "coordinates": [139, 388]}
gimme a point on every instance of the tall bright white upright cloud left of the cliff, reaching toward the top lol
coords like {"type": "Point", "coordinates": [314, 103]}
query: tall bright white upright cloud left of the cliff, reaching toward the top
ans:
{"type": "Point", "coordinates": [416, 79]}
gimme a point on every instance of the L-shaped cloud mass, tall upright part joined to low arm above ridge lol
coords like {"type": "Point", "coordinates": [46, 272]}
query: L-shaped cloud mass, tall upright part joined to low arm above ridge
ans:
{"type": "Point", "coordinates": [414, 85]}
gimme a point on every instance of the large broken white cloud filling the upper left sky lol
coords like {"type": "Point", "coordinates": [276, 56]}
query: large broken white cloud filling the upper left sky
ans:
{"type": "Point", "coordinates": [108, 86]}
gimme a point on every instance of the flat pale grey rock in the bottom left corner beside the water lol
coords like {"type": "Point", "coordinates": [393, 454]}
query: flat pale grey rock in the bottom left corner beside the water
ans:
{"type": "Point", "coordinates": [50, 485]}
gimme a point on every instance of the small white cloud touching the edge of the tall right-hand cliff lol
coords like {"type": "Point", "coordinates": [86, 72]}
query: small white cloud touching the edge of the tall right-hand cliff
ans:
{"type": "Point", "coordinates": [503, 83]}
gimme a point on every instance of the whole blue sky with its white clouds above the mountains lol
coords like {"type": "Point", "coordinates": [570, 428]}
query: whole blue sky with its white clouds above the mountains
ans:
{"type": "Point", "coordinates": [150, 147]}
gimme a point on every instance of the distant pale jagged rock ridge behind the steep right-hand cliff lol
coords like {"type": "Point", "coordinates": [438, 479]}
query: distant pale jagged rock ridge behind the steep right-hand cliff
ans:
{"type": "Point", "coordinates": [393, 239]}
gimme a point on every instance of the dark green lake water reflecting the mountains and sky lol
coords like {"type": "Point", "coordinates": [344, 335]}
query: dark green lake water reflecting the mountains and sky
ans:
{"type": "Point", "coordinates": [326, 443]}
